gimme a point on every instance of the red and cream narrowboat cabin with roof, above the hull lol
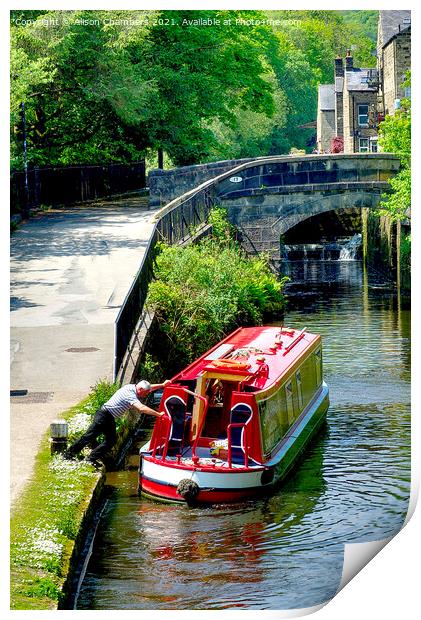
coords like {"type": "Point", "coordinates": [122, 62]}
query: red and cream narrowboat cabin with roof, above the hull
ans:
{"type": "Point", "coordinates": [235, 405]}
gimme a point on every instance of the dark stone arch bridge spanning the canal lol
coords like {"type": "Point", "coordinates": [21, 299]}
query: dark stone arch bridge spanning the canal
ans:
{"type": "Point", "coordinates": [266, 197]}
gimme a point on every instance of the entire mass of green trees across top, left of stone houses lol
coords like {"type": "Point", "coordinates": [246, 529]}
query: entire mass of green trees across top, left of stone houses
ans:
{"type": "Point", "coordinates": [129, 82]}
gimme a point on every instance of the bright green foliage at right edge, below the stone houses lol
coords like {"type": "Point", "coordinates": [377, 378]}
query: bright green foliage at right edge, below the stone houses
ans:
{"type": "Point", "coordinates": [395, 137]}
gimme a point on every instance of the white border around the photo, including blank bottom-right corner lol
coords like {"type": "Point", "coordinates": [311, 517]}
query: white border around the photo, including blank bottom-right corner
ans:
{"type": "Point", "coordinates": [388, 586]}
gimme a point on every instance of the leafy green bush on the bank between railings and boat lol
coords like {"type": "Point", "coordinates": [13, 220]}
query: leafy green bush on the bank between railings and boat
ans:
{"type": "Point", "coordinates": [204, 291]}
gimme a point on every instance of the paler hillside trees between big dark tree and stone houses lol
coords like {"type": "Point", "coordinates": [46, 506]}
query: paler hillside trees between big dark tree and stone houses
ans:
{"type": "Point", "coordinates": [308, 42]}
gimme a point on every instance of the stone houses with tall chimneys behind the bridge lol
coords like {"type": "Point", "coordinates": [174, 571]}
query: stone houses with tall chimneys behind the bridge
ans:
{"type": "Point", "coordinates": [361, 96]}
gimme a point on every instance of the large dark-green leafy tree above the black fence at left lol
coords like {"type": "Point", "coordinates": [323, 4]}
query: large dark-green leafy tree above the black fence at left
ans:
{"type": "Point", "coordinates": [129, 81]}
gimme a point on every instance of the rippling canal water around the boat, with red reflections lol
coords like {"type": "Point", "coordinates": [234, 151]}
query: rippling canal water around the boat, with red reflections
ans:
{"type": "Point", "coordinates": [353, 485]}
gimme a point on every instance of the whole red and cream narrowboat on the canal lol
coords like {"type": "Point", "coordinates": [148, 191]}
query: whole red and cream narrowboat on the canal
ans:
{"type": "Point", "coordinates": [237, 419]}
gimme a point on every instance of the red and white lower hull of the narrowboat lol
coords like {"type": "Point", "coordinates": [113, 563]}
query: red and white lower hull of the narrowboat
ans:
{"type": "Point", "coordinates": [159, 481]}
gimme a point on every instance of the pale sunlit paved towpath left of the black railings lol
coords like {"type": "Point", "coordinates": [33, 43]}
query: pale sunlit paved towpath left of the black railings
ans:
{"type": "Point", "coordinates": [70, 272]}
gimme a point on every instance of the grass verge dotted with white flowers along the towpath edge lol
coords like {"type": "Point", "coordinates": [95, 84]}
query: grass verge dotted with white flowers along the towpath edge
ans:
{"type": "Point", "coordinates": [51, 513]}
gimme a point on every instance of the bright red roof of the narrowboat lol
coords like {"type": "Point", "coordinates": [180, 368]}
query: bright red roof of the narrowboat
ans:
{"type": "Point", "coordinates": [257, 355]}
